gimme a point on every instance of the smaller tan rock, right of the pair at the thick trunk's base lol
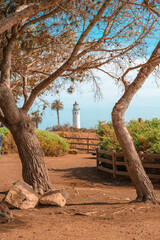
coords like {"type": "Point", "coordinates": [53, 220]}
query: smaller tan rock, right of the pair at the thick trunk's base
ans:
{"type": "Point", "coordinates": [55, 198]}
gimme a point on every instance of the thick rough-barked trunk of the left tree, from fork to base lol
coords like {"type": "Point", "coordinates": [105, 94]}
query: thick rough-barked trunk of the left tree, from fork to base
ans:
{"type": "Point", "coordinates": [34, 171]}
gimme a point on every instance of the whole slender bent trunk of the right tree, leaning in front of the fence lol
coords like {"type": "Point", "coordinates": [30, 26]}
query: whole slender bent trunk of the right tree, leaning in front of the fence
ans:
{"type": "Point", "coordinates": [135, 169]}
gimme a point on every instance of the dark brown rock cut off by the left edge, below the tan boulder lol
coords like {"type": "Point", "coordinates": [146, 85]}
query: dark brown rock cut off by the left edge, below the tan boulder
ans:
{"type": "Point", "coordinates": [5, 214]}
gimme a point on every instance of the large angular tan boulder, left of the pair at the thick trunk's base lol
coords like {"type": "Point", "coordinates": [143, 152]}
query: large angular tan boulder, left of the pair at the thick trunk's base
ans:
{"type": "Point", "coordinates": [22, 196]}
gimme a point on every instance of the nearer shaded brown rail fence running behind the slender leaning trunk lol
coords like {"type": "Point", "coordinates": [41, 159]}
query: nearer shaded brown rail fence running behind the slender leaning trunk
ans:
{"type": "Point", "coordinates": [113, 163]}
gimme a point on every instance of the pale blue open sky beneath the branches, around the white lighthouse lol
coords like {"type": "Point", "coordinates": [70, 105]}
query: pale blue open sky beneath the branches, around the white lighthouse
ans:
{"type": "Point", "coordinates": [145, 104]}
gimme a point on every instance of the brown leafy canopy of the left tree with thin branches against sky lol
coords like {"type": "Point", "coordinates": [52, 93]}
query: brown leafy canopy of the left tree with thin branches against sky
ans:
{"type": "Point", "coordinates": [46, 43]}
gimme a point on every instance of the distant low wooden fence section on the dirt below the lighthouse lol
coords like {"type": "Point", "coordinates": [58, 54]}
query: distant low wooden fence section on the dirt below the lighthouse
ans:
{"type": "Point", "coordinates": [85, 144]}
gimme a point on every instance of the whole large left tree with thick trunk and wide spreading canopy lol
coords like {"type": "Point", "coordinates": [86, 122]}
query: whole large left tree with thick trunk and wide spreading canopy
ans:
{"type": "Point", "coordinates": [23, 26]}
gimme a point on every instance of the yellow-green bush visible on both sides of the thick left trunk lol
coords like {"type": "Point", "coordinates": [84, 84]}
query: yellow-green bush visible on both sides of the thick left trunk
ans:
{"type": "Point", "coordinates": [51, 144]}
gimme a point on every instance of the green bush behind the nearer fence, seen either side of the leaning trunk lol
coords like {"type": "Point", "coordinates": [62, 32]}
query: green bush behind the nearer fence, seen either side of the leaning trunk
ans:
{"type": "Point", "coordinates": [145, 134]}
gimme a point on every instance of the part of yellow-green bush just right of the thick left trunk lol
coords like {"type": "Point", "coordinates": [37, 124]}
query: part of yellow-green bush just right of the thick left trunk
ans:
{"type": "Point", "coordinates": [52, 144]}
